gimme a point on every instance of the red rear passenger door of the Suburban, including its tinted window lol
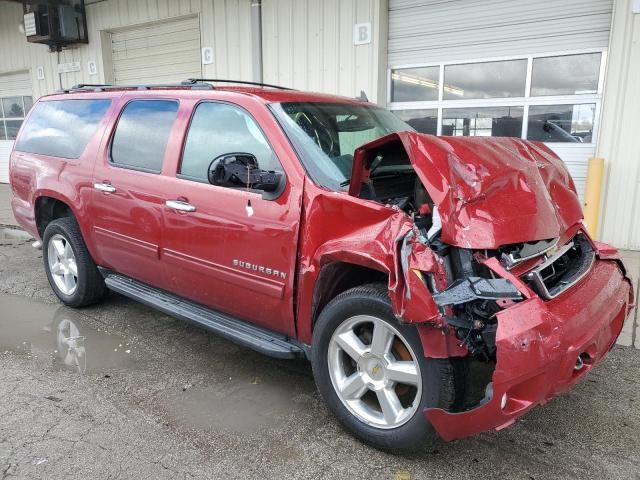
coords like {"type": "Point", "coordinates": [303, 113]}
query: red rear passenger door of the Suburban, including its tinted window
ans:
{"type": "Point", "coordinates": [129, 188]}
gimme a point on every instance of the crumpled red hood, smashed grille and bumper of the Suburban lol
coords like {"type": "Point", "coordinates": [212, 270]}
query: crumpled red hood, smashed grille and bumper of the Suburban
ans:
{"type": "Point", "coordinates": [502, 271]}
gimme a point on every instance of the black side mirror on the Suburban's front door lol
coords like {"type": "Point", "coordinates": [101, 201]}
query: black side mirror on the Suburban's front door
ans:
{"type": "Point", "coordinates": [240, 170]}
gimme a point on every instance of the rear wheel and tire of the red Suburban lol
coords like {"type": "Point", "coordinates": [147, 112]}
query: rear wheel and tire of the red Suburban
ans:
{"type": "Point", "coordinates": [72, 274]}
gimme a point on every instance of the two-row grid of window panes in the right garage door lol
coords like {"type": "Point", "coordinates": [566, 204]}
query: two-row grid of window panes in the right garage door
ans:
{"type": "Point", "coordinates": [549, 98]}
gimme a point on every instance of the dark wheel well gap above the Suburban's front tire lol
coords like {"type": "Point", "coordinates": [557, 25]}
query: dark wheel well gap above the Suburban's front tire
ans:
{"type": "Point", "coordinates": [337, 277]}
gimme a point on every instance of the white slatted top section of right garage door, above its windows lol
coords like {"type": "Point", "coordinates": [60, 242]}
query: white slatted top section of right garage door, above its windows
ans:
{"type": "Point", "coordinates": [449, 30]}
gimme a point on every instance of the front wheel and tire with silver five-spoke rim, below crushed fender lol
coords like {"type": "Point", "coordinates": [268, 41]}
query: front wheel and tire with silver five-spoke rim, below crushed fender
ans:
{"type": "Point", "coordinates": [373, 375]}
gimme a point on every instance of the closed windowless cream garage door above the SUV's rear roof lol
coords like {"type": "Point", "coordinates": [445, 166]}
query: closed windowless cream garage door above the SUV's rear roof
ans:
{"type": "Point", "coordinates": [160, 53]}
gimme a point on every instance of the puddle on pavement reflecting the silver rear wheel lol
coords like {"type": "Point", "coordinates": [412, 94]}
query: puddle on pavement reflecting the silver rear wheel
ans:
{"type": "Point", "coordinates": [58, 334]}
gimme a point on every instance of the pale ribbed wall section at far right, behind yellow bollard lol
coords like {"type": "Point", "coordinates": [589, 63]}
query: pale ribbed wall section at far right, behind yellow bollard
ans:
{"type": "Point", "coordinates": [619, 140]}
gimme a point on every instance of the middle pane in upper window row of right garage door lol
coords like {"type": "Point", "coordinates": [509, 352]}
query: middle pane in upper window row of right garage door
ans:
{"type": "Point", "coordinates": [485, 80]}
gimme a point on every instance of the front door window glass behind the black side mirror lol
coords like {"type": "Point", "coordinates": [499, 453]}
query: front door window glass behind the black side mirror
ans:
{"type": "Point", "coordinates": [218, 129]}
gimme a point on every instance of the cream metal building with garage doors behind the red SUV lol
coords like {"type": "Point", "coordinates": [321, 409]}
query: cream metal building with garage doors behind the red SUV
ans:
{"type": "Point", "coordinates": [565, 73]}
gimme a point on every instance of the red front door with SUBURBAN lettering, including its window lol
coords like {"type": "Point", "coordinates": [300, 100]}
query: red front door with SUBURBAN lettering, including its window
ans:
{"type": "Point", "coordinates": [232, 249]}
